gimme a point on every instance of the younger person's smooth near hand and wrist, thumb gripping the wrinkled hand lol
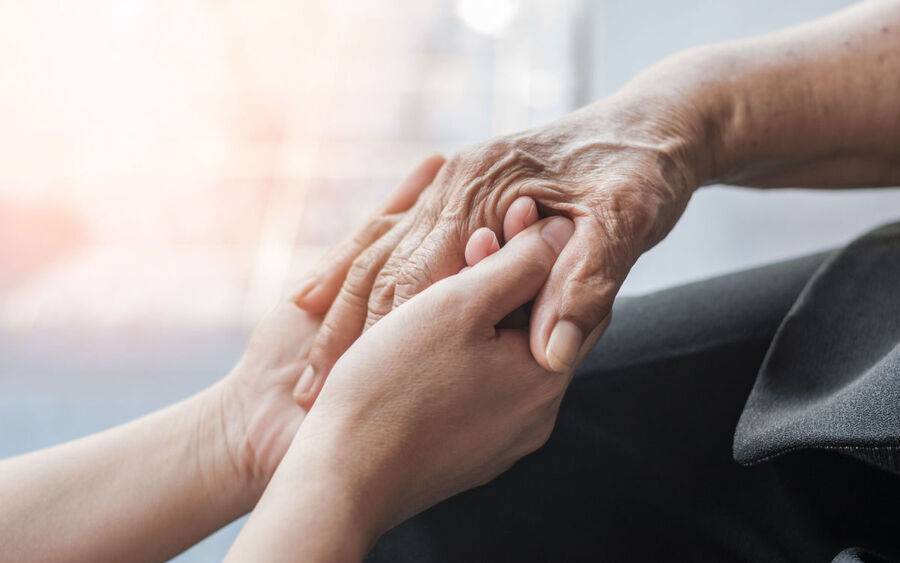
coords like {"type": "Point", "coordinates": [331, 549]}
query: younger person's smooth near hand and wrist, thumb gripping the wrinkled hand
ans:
{"type": "Point", "coordinates": [368, 456]}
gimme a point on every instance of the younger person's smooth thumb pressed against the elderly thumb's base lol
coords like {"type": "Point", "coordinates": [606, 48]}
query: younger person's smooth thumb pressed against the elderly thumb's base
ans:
{"type": "Point", "coordinates": [512, 276]}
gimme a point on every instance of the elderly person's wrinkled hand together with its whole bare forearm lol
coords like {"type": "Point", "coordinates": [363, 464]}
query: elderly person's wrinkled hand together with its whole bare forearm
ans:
{"type": "Point", "coordinates": [813, 106]}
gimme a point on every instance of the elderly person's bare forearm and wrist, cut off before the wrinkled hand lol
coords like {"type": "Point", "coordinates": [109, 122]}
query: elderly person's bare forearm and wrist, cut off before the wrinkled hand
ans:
{"type": "Point", "coordinates": [815, 105]}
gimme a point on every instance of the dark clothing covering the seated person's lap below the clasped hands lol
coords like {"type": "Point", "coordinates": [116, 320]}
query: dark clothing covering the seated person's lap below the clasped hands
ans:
{"type": "Point", "coordinates": [640, 466]}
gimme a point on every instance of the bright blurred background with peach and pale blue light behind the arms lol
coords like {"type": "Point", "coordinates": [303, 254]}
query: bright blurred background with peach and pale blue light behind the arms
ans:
{"type": "Point", "coordinates": [169, 169]}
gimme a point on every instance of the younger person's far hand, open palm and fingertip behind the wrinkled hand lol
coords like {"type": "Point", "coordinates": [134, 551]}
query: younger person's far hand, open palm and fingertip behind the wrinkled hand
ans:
{"type": "Point", "coordinates": [260, 410]}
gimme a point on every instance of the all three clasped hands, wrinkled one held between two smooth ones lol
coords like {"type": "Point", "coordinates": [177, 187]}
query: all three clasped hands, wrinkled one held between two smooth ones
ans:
{"type": "Point", "coordinates": [407, 348]}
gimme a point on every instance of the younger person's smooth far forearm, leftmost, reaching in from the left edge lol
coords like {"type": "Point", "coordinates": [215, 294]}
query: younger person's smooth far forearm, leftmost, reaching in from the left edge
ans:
{"type": "Point", "coordinates": [143, 491]}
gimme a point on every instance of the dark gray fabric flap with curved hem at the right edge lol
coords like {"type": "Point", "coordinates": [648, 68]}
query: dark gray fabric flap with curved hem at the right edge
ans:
{"type": "Point", "coordinates": [831, 379]}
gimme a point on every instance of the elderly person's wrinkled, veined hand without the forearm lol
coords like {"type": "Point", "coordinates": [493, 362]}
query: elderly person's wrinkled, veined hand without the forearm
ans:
{"type": "Point", "coordinates": [623, 178]}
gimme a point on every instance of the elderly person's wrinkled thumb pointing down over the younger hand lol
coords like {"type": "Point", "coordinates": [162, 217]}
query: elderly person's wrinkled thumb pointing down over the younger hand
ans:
{"type": "Point", "coordinates": [574, 306]}
